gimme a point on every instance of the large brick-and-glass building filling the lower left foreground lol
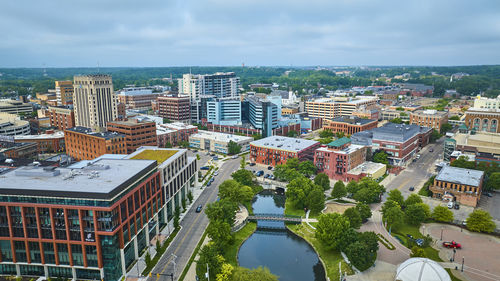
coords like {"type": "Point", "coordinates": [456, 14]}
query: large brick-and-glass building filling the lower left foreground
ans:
{"type": "Point", "coordinates": [91, 220]}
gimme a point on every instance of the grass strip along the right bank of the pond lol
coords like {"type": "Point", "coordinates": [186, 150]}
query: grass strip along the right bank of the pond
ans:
{"type": "Point", "coordinates": [330, 259]}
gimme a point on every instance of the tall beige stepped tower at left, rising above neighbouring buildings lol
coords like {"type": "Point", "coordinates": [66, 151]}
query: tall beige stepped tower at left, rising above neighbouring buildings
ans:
{"type": "Point", "coordinates": [94, 101]}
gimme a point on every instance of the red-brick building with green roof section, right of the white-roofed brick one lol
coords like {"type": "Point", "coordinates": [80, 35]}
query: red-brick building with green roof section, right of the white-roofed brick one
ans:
{"type": "Point", "coordinates": [338, 157]}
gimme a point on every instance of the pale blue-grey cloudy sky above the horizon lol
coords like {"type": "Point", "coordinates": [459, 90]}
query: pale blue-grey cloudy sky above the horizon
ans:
{"type": "Point", "coordinates": [255, 32]}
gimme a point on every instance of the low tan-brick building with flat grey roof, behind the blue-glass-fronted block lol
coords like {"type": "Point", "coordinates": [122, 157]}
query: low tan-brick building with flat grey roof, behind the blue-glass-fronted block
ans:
{"type": "Point", "coordinates": [350, 125]}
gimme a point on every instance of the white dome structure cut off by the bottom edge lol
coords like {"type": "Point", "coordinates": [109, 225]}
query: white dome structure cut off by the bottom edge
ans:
{"type": "Point", "coordinates": [421, 269]}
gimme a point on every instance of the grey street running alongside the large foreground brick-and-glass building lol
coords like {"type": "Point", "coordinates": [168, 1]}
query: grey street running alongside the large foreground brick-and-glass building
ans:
{"type": "Point", "coordinates": [193, 226]}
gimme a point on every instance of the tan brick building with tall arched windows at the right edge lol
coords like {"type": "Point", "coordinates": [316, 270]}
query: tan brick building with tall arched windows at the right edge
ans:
{"type": "Point", "coordinates": [480, 119]}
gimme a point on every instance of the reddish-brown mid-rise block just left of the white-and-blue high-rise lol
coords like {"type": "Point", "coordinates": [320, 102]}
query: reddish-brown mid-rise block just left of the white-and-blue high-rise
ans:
{"type": "Point", "coordinates": [175, 108]}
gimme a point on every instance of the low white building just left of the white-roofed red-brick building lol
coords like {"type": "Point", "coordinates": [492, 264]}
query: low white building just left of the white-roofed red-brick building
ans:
{"type": "Point", "coordinates": [217, 142]}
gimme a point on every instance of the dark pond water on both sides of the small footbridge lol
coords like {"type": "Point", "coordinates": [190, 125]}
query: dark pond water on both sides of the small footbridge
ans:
{"type": "Point", "coordinates": [273, 246]}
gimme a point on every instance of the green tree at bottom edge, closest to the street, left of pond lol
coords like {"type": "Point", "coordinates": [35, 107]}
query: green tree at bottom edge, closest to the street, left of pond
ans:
{"type": "Point", "coordinates": [209, 254]}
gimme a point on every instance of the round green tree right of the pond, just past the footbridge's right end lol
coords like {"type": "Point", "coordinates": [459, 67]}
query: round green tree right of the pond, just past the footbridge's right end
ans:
{"type": "Point", "coordinates": [330, 229]}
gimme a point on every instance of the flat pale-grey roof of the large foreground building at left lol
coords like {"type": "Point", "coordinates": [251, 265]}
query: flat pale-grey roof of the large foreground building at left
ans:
{"type": "Point", "coordinates": [101, 180]}
